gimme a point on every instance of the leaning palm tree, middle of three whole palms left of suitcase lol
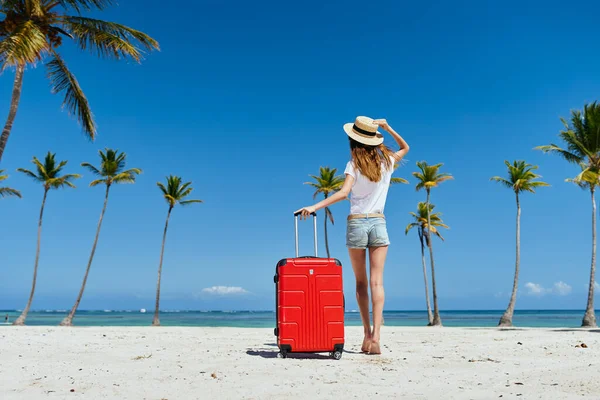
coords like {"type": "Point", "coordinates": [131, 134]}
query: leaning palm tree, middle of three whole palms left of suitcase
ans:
{"type": "Point", "coordinates": [111, 172]}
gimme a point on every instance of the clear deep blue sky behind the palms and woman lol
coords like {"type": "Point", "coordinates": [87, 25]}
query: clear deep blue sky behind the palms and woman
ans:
{"type": "Point", "coordinates": [247, 99]}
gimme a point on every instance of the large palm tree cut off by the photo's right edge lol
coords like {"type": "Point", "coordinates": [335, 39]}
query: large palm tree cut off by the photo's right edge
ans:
{"type": "Point", "coordinates": [582, 139]}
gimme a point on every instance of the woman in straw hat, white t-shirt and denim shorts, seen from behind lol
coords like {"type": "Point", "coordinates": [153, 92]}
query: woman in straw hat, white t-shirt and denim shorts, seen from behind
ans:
{"type": "Point", "coordinates": [368, 175]}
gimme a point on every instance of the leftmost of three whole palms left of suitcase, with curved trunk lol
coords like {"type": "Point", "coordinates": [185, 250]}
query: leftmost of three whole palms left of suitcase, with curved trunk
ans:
{"type": "Point", "coordinates": [48, 174]}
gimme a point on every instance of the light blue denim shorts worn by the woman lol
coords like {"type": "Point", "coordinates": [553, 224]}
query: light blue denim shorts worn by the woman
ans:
{"type": "Point", "coordinates": [362, 233]}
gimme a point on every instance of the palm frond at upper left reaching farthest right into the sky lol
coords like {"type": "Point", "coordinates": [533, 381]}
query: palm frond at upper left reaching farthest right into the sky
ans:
{"type": "Point", "coordinates": [109, 39]}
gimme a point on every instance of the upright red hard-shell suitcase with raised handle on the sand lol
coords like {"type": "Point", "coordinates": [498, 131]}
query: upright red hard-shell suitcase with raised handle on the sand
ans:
{"type": "Point", "coordinates": [309, 303]}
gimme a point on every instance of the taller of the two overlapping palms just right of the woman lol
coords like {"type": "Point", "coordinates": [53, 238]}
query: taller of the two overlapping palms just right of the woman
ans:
{"type": "Point", "coordinates": [429, 177]}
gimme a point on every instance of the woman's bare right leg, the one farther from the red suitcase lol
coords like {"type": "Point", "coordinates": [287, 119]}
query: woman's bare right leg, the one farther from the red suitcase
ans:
{"type": "Point", "coordinates": [377, 256]}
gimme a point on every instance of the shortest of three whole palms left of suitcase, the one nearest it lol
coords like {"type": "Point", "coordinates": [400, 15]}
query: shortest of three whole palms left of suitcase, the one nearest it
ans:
{"type": "Point", "coordinates": [174, 193]}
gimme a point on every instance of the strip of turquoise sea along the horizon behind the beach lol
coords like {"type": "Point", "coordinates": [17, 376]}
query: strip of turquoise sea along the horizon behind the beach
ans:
{"type": "Point", "coordinates": [266, 319]}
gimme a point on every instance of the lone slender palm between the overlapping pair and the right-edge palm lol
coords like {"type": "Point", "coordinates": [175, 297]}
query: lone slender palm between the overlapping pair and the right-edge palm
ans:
{"type": "Point", "coordinates": [521, 178]}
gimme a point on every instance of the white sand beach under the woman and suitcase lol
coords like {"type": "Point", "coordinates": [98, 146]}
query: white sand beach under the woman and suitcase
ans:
{"type": "Point", "coordinates": [231, 363]}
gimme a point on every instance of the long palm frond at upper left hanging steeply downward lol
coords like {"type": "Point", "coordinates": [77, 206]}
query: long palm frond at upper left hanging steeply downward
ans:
{"type": "Point", "coordinates": [75, 101]}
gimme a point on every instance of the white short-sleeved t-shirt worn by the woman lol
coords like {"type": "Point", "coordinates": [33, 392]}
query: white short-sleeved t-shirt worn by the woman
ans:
{"type": "Point", "coordinates": [368, 197]}
